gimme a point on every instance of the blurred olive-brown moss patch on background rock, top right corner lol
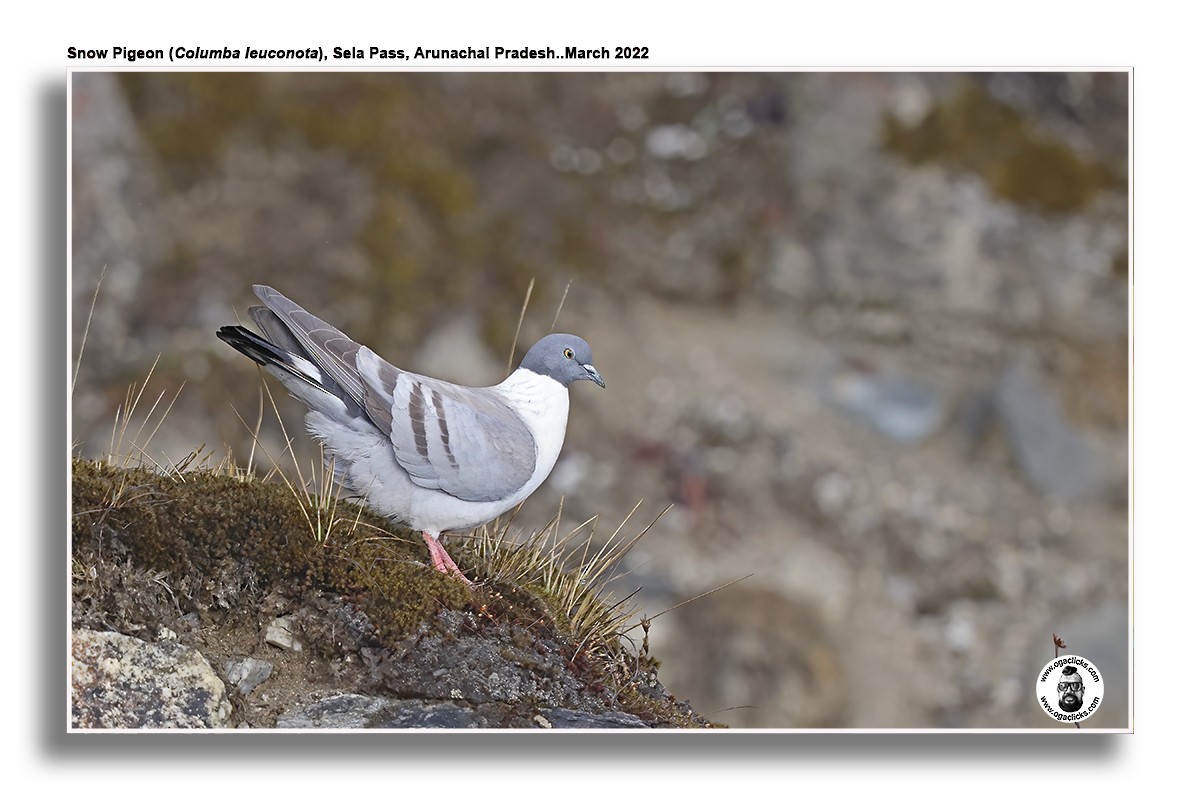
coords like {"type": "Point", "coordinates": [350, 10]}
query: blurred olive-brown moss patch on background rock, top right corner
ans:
{"type": "Point", "coordinates": [976, 133]}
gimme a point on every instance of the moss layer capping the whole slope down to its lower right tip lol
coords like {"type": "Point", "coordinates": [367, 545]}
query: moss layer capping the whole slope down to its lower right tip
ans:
{"type": "Point", "coordinates": [201, 534]}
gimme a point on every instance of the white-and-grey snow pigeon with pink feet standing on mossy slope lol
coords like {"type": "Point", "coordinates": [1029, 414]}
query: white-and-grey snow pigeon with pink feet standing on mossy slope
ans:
{"type": "Point", "coordinates": [430, 454]}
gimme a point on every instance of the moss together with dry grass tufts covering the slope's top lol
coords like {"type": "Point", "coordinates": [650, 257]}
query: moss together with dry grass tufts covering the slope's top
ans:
{"type": "Point", "coordinates": [157, 544]}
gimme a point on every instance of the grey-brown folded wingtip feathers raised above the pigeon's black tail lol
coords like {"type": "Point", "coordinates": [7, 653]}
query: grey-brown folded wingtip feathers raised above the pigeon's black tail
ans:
{"type": "Point", "coordinates": [295, 329]}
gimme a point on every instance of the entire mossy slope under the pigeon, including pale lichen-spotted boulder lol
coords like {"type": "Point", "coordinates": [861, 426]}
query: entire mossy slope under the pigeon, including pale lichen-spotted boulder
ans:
{"type": "Point", "coordinates": [205, 601]}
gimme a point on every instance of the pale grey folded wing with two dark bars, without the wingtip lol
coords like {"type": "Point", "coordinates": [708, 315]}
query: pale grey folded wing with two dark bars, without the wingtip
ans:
{"type": "Point", "coordinates": [465, 442]}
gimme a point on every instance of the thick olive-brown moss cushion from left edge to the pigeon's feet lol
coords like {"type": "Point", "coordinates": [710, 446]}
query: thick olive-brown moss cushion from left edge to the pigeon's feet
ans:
{"type": "Point", "coordinates": [193, 528]}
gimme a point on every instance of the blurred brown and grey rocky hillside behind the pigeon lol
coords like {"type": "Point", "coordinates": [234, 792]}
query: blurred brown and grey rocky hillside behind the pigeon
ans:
{"type": "Point", "coordinates": [868, 333]}
